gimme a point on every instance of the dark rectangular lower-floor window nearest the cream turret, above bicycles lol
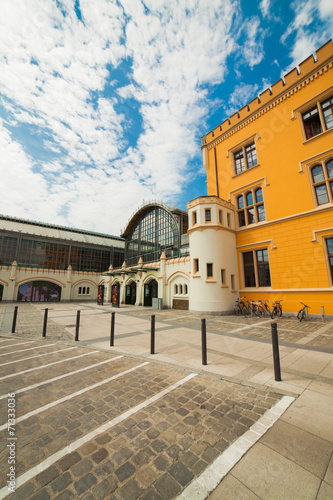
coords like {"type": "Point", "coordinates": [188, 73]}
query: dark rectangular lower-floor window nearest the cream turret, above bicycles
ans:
{"type": "Point", "coordinates": [256, 268]}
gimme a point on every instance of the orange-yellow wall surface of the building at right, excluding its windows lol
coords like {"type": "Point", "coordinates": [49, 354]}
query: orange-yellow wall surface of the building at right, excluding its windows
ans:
{"type": "Point", "coordinates": [293, 230]}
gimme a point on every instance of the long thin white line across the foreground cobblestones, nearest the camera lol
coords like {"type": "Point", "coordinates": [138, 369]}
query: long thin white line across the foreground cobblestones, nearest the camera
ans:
{"type": "Point", "coordinates": [45, 464]}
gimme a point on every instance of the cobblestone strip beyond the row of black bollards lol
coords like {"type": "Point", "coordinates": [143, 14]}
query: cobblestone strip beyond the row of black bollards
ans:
{"type": "Point", "coordinates": [314, 332]}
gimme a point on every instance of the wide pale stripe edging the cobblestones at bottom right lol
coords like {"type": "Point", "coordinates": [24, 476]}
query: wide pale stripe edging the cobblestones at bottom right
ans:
{"type": "Point", "coordinates": [201, 487]}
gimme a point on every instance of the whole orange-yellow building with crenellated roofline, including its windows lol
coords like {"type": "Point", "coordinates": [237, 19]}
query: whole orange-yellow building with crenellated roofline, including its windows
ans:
{"type": "Point", "coordinates": [273, 161]}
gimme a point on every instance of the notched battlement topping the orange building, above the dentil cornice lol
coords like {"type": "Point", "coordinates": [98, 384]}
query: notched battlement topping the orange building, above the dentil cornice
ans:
{"type": "Point", "coordinates": [291, 79]}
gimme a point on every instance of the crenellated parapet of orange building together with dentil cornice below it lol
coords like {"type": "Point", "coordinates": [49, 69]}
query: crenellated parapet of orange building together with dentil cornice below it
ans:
{"type": "Point", "coordinates": [294, 81]}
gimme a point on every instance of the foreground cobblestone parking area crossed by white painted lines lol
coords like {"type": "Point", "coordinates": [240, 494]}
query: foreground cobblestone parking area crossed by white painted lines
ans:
{"type": "Point", "coordinates": [93, 425]}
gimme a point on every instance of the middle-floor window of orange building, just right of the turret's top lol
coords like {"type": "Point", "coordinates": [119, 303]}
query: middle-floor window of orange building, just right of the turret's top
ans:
{"type": "Point", "coordinates": [250, 207]}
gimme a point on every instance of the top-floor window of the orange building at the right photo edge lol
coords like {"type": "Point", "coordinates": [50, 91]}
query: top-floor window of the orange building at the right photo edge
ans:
{"type": "Point", "coordinates": [318, 119]}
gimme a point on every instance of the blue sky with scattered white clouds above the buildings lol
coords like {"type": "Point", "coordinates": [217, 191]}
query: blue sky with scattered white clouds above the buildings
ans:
{"type": "Point", "coordinates": [103, 103]}
